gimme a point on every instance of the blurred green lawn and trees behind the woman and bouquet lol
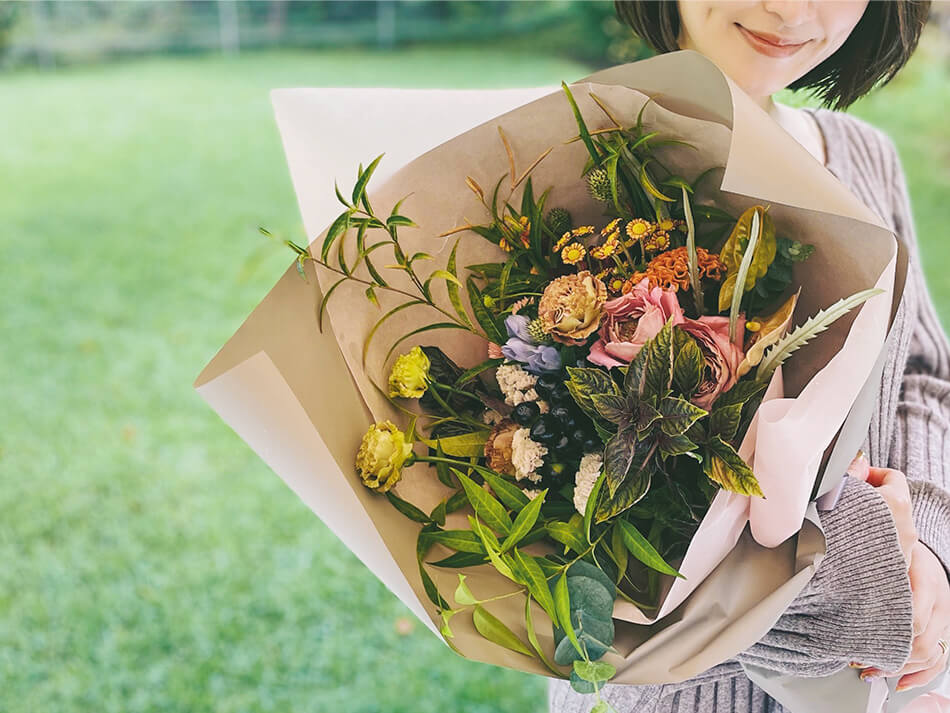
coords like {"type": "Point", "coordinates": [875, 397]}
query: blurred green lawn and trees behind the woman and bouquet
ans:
{"type": "Point", "coordinates": [150, 560]}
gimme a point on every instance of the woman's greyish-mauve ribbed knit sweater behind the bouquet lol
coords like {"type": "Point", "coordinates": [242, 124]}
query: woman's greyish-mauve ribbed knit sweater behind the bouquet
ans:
{"type": "Point", "coordinates": [857, 607]}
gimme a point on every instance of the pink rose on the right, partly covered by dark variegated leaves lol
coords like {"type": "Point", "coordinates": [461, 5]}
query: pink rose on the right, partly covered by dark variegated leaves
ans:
{"type": "Point", "coordinates": [720, 356]}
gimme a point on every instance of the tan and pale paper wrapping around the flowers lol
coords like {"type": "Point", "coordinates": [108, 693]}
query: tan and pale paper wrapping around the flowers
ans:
{"type": "Point", "coordinates": [302, 399]}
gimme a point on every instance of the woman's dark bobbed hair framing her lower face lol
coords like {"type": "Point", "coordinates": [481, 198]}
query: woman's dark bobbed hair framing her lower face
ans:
{"type": "Point", "coordinates": [879, 45]}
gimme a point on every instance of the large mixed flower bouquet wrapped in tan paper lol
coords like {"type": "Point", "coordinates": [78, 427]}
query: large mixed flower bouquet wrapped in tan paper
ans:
{"type": "Point", "coordinates": [555, 392]}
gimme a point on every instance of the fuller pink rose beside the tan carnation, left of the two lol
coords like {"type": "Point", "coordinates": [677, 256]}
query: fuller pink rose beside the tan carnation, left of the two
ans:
{"type": "Point", "coordinates": [631, 320]}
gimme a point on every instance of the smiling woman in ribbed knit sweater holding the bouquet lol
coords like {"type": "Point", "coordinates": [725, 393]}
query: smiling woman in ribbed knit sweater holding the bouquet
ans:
{"type": "Point", "coordinates": [881, 598]}
